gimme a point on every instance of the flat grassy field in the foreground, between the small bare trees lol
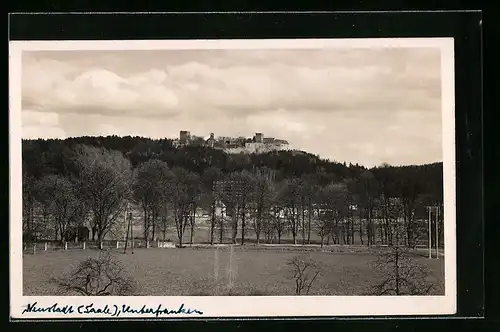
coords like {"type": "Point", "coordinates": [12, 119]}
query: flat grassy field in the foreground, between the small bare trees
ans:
{"type": "Point", "coordinates": [190, 271]}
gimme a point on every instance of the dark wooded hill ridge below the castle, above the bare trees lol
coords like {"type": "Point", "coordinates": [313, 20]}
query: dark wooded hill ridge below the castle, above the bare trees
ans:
{"type": "Point", "coordinates": [51, 156]}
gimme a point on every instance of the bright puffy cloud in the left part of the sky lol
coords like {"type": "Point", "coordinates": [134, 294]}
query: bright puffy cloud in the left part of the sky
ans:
{"type": "Point", "coordinates": [96, 91]}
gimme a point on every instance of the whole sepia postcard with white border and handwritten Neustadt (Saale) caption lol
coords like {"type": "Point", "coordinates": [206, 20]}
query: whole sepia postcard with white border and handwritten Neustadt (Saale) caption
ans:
{"type": "Point", "coordinates": [232, 178]}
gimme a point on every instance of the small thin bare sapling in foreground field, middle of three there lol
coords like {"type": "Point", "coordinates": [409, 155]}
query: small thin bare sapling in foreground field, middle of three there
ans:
{"type": "Point", "coordinates": [305, 271]}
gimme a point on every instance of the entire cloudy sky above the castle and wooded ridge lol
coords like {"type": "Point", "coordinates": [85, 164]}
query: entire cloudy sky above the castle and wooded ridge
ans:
{"type": "Point", "coordinates": [361, 106]}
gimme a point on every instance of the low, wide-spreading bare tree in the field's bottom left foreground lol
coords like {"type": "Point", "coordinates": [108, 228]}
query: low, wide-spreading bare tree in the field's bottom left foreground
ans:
{"type": "Point", "coordinates": [102, 276]}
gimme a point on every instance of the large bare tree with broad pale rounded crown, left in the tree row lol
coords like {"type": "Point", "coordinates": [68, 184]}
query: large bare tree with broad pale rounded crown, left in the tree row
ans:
{"type": "Point", "coordinates": [105, 179]}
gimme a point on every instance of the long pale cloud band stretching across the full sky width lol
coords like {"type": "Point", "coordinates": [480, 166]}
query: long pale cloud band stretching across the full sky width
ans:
{"type": "Point", "coordinates": [244, 87]}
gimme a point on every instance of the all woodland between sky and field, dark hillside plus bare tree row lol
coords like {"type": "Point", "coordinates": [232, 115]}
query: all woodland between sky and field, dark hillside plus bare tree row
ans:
{"type": "Point", "coordinates": [66, 182]}
